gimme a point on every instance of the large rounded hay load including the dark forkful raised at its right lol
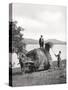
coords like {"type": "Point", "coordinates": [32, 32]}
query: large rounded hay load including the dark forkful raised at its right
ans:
{"type": "Point", "coordinates": [41, 57]}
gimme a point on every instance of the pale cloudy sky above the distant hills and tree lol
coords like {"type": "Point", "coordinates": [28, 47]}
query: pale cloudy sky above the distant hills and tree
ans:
{"type": "Point", "coordinates": [37, 19]}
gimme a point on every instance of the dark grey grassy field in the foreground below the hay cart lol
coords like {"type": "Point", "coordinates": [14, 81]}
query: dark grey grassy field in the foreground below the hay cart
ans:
{"type": "Point", "coordinates": [51, 76]}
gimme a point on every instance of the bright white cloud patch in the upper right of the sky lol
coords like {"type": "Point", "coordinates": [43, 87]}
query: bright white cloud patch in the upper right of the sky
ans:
{"type": "Point", "coordinates": [48, 16]}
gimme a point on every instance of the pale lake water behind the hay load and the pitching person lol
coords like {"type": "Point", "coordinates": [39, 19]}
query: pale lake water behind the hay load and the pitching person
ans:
{"type": "Point", "coordinates": [55, 49]}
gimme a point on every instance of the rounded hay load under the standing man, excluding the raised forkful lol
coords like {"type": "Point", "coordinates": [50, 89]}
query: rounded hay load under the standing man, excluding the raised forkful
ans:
{"type": "Point", "coordinates": [40, 59]}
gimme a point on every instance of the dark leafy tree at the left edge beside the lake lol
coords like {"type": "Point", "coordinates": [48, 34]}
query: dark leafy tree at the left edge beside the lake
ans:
{"type": "Point", "coordinates": [15, 37]}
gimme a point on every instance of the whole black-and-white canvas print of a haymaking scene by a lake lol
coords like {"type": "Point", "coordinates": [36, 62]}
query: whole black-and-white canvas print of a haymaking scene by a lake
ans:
{"type": "Point", "coordinates": [37, 44]}
